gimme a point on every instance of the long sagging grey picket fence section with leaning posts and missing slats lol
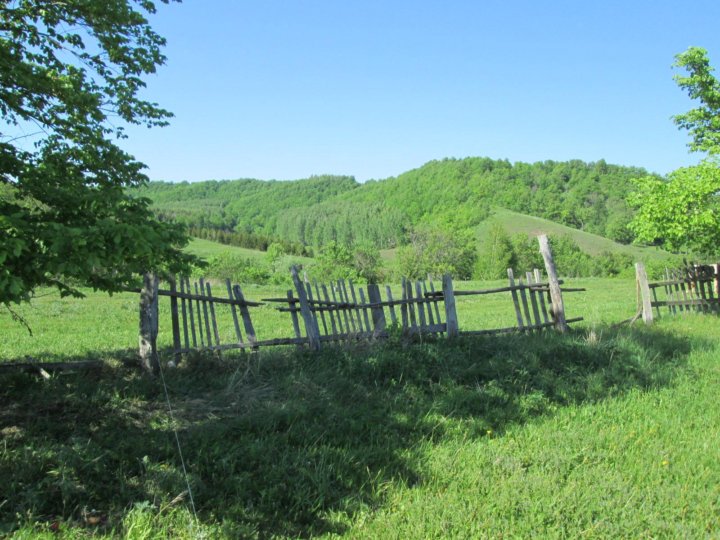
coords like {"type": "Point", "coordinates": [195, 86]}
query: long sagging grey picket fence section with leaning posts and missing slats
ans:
{"type": "Point", "coordinates": [339, 311]}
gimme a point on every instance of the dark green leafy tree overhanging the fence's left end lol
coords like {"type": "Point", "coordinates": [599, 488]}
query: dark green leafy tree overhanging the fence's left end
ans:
{"type": "Point", "coordinates": [70, 77]}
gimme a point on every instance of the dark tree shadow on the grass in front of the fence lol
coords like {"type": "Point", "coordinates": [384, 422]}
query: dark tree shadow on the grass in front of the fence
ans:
{"type": "Point", "coordinates": [283, 442]}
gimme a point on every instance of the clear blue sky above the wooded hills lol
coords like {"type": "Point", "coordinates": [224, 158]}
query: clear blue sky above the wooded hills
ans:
{"type": "Point", "coordinates": [275, 89]}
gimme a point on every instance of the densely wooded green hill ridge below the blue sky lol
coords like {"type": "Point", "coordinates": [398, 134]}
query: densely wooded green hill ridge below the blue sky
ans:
{"type": "Point", "coordinates": [454, 193]}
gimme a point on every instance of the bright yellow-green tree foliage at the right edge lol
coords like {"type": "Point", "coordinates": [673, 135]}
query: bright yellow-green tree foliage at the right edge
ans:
{"type": "Point", "coordinates": [683, 211]}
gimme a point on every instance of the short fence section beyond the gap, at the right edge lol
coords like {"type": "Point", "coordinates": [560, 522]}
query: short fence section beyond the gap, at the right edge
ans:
{"type": "Point", "coordinates": [694, 288]}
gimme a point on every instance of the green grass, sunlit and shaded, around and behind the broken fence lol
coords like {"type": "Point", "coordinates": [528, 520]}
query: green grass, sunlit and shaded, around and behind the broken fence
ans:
{"type": "Point", "coordinates": [608, 432]}
